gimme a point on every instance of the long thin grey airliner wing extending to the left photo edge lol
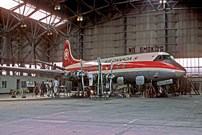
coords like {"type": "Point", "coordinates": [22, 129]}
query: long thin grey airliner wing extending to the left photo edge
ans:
{"type": "Point", "coordinates": [33, 71]}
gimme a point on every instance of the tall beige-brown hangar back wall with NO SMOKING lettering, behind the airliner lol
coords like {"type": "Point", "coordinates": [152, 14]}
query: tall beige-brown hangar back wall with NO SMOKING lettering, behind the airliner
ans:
{"type": "Point", "coordinates": [178, 32]}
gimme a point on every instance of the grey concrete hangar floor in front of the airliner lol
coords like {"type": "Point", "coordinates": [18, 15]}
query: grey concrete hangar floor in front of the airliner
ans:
{"type": "Point", "coordinates": [116, 116]}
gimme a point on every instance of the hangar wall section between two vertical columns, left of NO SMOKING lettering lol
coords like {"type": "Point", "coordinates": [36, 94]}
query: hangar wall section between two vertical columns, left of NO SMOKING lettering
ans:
{"type": "Point", "coordinates": [104, 40]}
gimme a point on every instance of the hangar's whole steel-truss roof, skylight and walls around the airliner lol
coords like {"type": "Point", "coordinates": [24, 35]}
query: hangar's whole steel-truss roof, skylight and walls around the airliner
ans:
{"type": "Point", "coordinates": [37, 30]}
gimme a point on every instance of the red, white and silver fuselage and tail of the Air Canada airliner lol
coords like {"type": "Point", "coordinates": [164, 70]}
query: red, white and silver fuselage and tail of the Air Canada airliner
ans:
{"type": "Point", "coordinates": [153, 66]}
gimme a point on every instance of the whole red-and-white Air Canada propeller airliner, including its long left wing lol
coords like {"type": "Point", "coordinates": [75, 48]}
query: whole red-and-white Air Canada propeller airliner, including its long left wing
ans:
{"type": "Point", "coordinates": [155, 66]}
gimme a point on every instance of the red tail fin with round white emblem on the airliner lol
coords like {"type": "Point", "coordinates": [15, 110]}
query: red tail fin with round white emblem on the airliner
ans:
{"type": "Point", "coordinates": [68, 59]}
